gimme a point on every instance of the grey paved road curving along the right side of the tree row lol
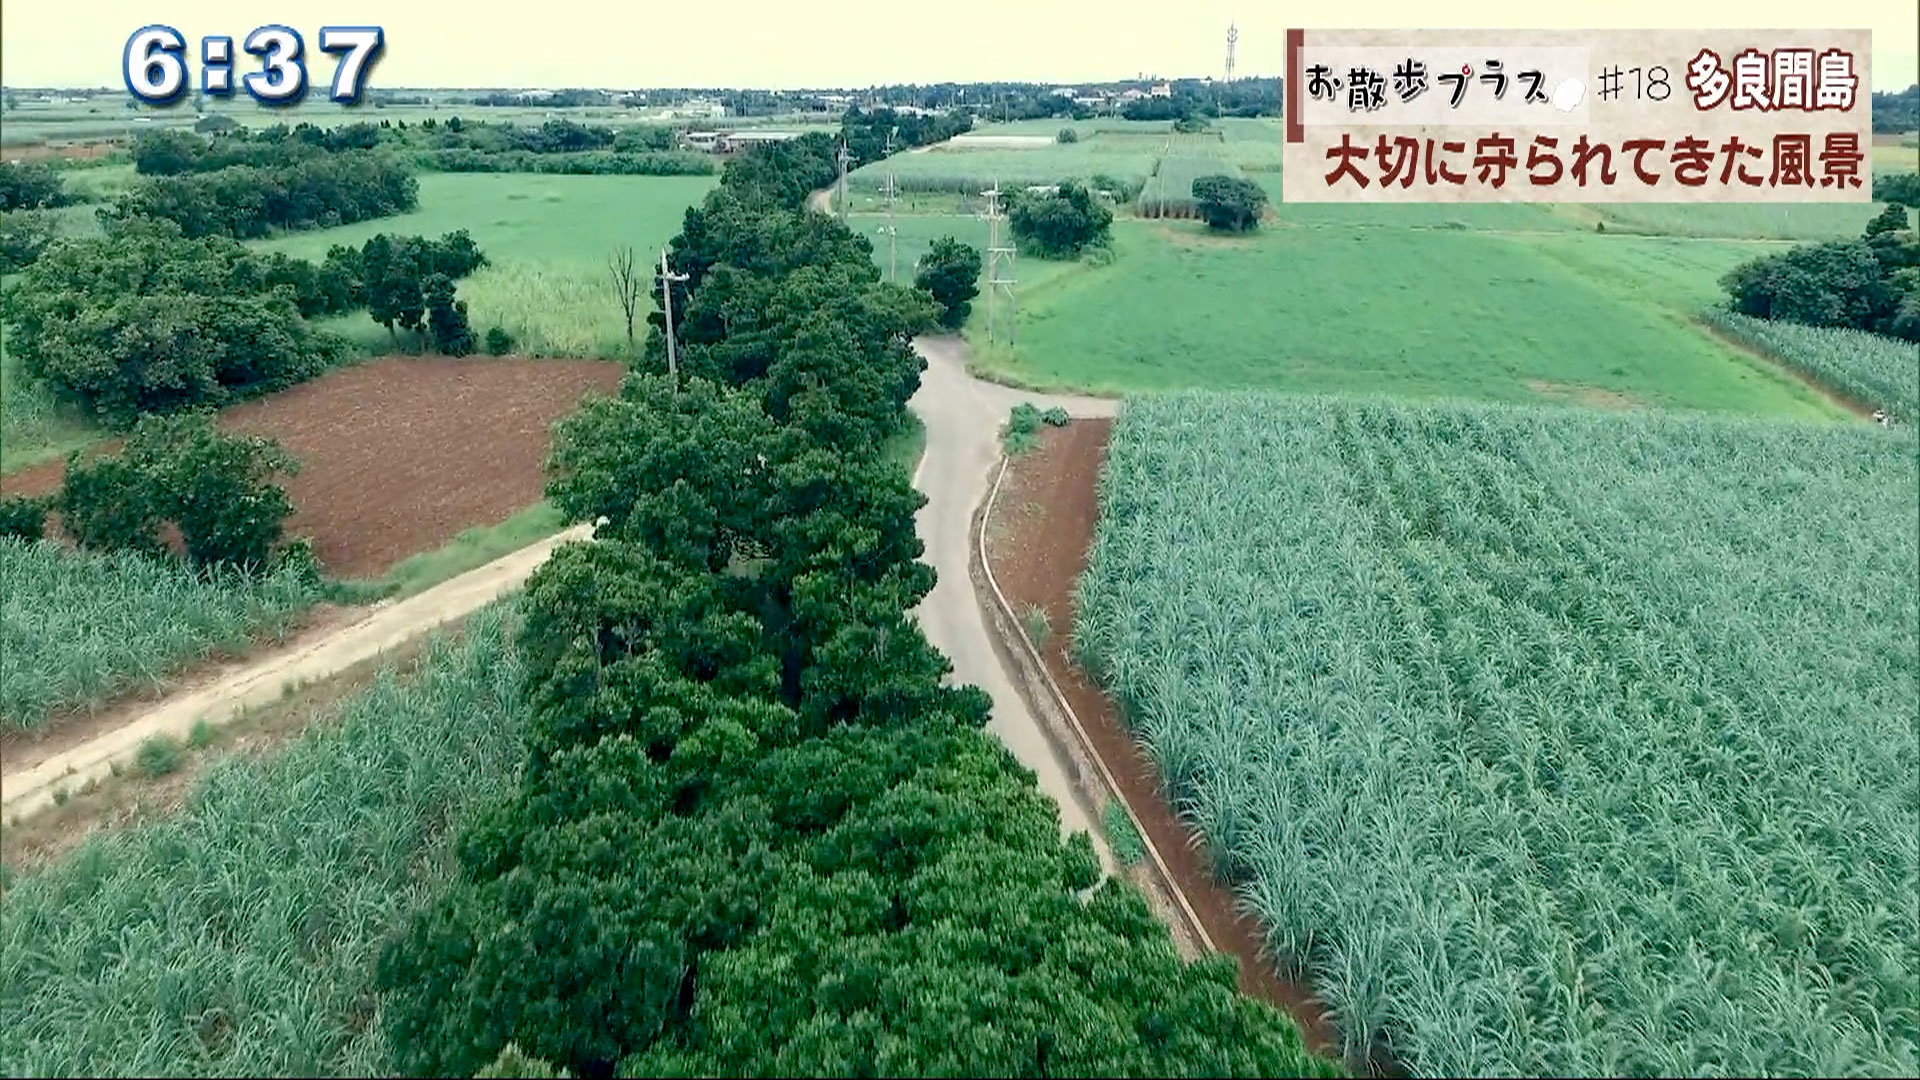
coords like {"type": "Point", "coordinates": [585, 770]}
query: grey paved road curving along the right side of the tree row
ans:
{"type": "Point", "coordinates": [963, 418]}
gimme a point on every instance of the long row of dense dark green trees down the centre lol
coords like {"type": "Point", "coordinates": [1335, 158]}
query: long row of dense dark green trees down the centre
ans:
{"type": "Point", "coordinates": [756, 831]}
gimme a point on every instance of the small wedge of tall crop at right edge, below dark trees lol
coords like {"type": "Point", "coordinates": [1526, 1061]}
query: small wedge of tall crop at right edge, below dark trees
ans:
{"type": "Point", "coordinates": [1871, 370]}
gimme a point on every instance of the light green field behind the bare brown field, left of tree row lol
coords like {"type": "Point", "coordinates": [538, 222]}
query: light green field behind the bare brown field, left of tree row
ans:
{"type": "Point", "coordinates": [546, 237]}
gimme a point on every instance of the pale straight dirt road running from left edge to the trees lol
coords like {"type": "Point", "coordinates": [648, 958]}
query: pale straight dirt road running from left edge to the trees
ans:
{"type": "Point", "coordinates": [379, 631]}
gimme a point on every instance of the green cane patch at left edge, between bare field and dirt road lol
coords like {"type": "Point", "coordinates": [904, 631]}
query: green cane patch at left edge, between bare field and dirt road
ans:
{"type": "Point", "coordinates": [80, 627]}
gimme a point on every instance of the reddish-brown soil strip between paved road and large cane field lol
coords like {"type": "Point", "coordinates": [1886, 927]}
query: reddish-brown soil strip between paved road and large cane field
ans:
{"type": "Point", "coordinates": [1038, 541]}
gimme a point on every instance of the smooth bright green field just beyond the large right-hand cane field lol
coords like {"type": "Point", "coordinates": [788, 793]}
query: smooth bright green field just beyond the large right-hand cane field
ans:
{"type": "Point", "coordinates": [1397, 310]}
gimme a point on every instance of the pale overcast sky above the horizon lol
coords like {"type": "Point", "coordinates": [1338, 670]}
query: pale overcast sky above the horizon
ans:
{"type": "Point", "coordinates": [848, 43]}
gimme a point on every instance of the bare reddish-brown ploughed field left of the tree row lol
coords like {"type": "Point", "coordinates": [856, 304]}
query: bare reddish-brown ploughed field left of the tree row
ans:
{"type": "Point", "coordinates": [402, 454]}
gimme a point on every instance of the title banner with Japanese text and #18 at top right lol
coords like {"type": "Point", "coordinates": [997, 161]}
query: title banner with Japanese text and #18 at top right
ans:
{"type": "Point", "coordinates": [1577, 116]}
